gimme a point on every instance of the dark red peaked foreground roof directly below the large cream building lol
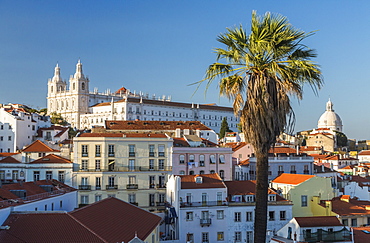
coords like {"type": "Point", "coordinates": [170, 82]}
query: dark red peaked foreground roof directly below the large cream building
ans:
{"type": "Point", "coordinates": [117, 221]}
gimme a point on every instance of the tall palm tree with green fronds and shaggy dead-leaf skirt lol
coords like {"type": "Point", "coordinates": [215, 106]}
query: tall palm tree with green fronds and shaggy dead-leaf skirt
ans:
{"type": "Point", "coordinates": [261, 70]}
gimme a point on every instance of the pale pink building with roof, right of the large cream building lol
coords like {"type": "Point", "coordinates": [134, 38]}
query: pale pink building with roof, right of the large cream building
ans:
{"type": "Point", "coordinates": [192, 155]}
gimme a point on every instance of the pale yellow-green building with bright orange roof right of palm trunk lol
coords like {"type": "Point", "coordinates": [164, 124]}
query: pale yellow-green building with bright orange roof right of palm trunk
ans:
{"type": "Point", "coordinates": [301, 189]}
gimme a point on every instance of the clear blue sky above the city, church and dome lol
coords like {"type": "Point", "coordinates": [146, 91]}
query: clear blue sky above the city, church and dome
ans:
{"type": "Point", "coordinates": [161, 47]}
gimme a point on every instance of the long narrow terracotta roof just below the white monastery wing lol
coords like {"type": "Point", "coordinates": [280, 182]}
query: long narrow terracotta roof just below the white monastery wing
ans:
{"type": "Point", "coordinates": [155, 125]}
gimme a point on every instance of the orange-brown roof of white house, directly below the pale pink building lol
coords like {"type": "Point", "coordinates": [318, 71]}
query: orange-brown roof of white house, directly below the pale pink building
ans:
{"type": "Point", "coordinates": [208, 181]}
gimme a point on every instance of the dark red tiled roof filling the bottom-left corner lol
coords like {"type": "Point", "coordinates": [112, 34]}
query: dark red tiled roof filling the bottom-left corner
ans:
{"type": "Point", "coordinates": [46, 227]}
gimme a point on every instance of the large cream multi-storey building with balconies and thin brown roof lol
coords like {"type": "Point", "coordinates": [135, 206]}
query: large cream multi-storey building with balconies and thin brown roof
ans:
{"type": "Point", "coordinates": [132, 167]}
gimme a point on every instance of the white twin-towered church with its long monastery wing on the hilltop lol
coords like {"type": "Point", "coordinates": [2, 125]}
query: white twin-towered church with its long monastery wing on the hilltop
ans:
{"type": "Point", "coordinates": [85, 109]}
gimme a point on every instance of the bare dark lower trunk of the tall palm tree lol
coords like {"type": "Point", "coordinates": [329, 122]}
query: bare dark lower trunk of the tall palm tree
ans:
{"type": "Point", "coordinates": [260, 216]}
